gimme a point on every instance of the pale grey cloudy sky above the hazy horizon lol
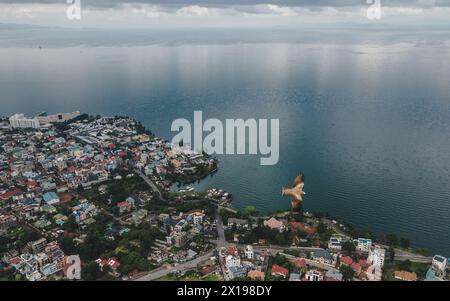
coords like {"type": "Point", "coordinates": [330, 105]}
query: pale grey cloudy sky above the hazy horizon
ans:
{"type": "Point", "coordinates": [207, 13]}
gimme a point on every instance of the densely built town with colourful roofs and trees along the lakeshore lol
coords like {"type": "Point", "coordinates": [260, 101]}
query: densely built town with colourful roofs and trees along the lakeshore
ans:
{"type": "Point", "coordinates": [105, 192]}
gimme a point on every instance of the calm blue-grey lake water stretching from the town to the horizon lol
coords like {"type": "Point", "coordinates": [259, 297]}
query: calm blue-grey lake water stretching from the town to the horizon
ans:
{"type": "Point", "coordinates": [366, 119]}
